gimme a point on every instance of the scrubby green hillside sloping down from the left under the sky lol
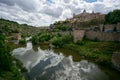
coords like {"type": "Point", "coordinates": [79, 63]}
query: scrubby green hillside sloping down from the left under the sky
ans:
{"type": "Point", "coordinates": [8, 27]}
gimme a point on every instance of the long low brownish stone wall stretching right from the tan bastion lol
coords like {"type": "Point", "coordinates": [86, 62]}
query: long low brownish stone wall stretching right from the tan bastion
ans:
{"type": "Point", "coordinates": [103, 36]}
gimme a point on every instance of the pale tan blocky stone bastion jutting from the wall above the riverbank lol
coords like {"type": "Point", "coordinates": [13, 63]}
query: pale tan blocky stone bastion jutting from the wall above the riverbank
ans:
{"type": "Point", "coordinates": [78, 35]}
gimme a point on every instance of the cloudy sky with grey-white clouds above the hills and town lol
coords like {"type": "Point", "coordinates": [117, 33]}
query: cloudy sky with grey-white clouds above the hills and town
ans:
{"type": "Point", "coordinates": [45, 12]}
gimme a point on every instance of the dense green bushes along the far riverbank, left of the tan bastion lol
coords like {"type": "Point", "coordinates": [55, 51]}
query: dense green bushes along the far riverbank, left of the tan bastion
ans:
{"type": "Point", "coordinates": [54, 38]}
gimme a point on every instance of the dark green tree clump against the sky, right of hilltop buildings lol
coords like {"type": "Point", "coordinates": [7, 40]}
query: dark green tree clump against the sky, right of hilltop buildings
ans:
{"type": "Point", "coordinates": [113, 17]}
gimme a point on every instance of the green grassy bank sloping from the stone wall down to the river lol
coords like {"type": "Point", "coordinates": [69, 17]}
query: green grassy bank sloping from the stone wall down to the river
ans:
{"type": "Point", "coordinates": [100, 52]}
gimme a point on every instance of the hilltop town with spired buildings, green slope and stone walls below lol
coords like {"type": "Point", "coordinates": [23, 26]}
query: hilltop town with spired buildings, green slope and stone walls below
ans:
{"type": "Point", "coordinates": [92, 25]}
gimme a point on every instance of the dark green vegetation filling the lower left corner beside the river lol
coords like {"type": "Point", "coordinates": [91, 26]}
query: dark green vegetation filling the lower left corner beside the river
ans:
{"type": "Point", "coordinates": [8, 70]}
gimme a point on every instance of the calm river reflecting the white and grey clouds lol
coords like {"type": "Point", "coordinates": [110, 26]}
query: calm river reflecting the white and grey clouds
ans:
{"type": "Point", "coordinates": [49, 65]}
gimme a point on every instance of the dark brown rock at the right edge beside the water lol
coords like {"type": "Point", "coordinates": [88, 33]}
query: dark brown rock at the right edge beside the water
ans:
{"type": "Point", "coordinates": [116, 60]}
